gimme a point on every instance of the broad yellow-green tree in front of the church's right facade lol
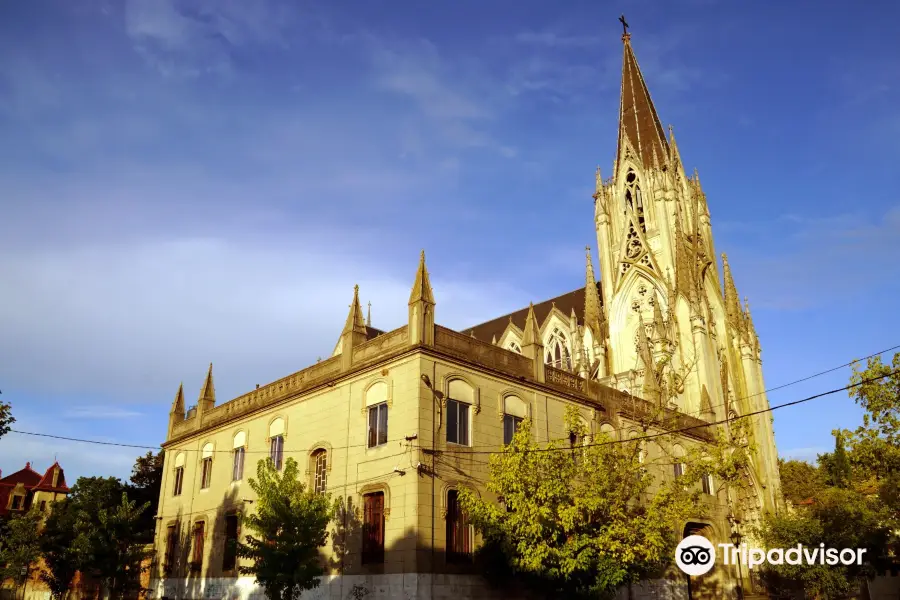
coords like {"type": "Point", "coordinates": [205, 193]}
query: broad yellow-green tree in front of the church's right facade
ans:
{"type": "Point", "coordinates": [582, 521]}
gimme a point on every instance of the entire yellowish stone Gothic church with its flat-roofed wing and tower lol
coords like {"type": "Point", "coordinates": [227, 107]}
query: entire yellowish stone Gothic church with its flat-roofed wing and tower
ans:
{"type": "Point", "coordinates": [391, 423]}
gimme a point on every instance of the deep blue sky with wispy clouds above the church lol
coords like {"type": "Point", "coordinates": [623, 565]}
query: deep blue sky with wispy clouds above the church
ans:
{"type": "Point", "coordinates": [186, 182]}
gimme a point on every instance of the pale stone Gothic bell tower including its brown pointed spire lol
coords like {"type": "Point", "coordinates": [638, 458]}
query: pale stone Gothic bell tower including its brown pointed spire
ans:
{"type": "Point", "coordinates": [672, 320]}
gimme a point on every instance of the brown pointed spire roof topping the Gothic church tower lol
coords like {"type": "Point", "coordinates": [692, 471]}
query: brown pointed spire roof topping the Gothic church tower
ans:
{"type": "Point", "coordinates": [639, 125]}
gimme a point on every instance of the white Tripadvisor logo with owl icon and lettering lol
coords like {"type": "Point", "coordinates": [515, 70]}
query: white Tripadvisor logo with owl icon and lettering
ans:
{"type": "Point", "coordinates": [696, 555]}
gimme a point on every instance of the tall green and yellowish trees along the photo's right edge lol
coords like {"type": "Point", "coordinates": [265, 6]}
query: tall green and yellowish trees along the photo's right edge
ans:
{"type": "Point", "coordinates": [858, 503]}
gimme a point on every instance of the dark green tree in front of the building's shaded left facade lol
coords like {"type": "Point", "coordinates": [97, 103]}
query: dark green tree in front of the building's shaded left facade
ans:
{"type": "Point", "coordinates": [290, 526]}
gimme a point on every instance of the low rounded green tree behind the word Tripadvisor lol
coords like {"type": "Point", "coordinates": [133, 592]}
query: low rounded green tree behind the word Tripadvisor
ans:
{"type": "Point", "coordinates": [839, 518]}
